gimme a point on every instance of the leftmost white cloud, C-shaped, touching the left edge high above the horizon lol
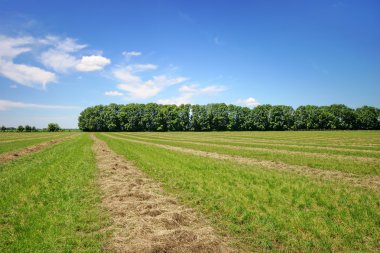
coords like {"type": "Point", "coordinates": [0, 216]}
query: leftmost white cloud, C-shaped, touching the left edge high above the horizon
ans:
{"type": "Point", "coordinates": [23, 74]}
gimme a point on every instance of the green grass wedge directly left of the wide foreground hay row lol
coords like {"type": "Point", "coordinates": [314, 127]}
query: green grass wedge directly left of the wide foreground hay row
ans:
{"type": "Point", "coordinates": [49, 201]}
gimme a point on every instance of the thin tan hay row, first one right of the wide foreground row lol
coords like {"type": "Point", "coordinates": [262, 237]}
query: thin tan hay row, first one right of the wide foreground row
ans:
{"type": "Point", "coordinates": [372, 182]}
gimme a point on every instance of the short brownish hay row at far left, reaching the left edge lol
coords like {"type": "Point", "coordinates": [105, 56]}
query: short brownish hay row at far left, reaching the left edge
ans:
{"type": "Point", "coordinates": [5, 157]}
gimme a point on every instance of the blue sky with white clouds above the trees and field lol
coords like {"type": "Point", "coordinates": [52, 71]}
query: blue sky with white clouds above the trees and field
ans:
{"type": "Point", "coordinates": [59, 57]}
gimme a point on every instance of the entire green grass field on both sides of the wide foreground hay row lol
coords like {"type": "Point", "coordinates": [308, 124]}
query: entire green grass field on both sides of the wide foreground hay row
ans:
{"type": "Point", "coordinates": [266, 191]}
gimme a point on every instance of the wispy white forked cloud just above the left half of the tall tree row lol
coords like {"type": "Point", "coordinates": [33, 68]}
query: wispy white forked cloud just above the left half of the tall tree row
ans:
{"type": "Point", "coordinates": [139, 89]}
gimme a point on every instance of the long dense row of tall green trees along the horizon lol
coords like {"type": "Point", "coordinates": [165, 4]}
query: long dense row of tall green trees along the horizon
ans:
{"type": "Point", "coordinates": [222, 117]}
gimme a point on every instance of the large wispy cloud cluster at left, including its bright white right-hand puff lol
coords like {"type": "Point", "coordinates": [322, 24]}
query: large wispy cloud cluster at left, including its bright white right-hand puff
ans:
{"type": "Point", "coordinates": [58, 55]}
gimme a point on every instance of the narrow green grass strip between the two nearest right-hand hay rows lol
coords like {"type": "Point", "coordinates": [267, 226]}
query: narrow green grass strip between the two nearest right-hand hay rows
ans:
{"type": "Point", "coordinates": [326, 163]}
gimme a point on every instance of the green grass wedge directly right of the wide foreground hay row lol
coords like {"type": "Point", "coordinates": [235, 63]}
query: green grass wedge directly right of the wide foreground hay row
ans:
{"type": "Point", "coordinates": [264, 210]}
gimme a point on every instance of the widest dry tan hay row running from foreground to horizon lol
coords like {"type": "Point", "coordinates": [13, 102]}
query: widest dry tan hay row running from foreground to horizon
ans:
{"type": "Point", "coordinates": [143, 218]}
